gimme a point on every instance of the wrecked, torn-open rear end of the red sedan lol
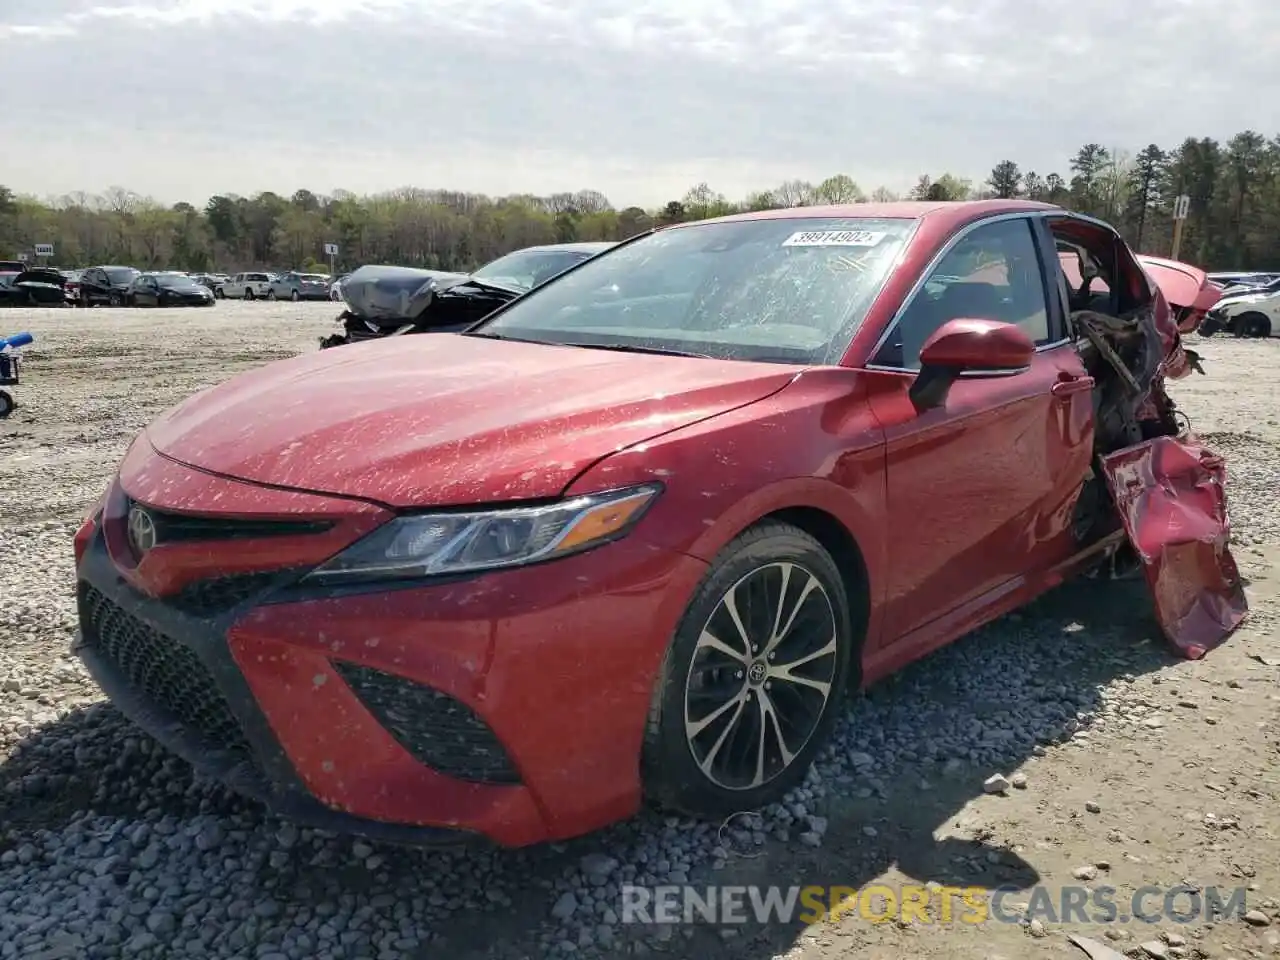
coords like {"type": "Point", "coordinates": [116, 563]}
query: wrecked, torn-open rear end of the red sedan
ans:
{"type": "Point", "coordinates": [1165, 487]}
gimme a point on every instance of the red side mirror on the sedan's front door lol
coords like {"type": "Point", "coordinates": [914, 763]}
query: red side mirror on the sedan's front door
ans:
{"type": "Point", "coordinates": [971, 349]}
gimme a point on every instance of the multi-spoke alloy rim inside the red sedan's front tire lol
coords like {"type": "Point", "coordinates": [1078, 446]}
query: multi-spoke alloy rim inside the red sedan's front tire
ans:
{"type": "Point", "coordinates": [762, 675]}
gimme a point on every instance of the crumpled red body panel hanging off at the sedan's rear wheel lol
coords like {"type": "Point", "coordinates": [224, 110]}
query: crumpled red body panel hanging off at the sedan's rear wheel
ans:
{"type": "Point", "coordinates": [1172, 497]}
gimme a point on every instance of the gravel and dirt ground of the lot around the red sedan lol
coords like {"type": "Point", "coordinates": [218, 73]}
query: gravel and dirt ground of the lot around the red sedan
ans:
{"type": "Point", "coordinates": [1123, 761]}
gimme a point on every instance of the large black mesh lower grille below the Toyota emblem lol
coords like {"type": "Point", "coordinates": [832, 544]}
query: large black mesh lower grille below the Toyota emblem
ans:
{"type": "Point", "coordinates": [163, 671]}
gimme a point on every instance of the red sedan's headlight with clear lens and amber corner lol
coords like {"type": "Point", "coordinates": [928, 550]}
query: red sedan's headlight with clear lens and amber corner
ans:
{"type": "Point", "coordinates": [445, 543]}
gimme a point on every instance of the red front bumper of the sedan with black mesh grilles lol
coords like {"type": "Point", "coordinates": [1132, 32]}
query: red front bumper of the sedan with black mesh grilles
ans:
{"type": "Point", "coordinates": [510, 706]}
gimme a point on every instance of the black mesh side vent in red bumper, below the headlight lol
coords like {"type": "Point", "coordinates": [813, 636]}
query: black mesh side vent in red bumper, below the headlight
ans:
{"type": "Point", "coordinates": [440, 732]}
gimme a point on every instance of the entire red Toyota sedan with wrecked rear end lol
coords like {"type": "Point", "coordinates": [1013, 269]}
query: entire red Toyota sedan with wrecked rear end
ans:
{"type": "Point", "coordinates": [636, 534]}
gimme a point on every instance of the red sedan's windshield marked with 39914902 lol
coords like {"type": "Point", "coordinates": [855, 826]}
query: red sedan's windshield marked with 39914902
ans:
{"type": "Point", "coordinates": [790, 291]}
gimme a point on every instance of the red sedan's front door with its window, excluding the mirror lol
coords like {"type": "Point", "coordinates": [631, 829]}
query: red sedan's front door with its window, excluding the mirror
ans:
{"type": "Point", "coordinates": [981, 491]}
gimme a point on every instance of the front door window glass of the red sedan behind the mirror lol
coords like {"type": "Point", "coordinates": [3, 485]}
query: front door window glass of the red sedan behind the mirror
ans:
{"type": "Point", "coordinates": [994, 273]}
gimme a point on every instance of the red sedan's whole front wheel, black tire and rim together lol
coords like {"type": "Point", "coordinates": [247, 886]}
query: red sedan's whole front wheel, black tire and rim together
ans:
{"type": "Point", "coordinates": [766, 563]}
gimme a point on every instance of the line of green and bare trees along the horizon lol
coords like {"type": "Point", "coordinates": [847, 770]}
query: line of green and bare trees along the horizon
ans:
{"type": "Point", "coordinates": [1235, 218]}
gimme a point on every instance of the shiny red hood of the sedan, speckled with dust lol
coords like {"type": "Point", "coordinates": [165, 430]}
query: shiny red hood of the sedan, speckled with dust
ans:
{"type": "Point", "coordinates": [417, 422]}
